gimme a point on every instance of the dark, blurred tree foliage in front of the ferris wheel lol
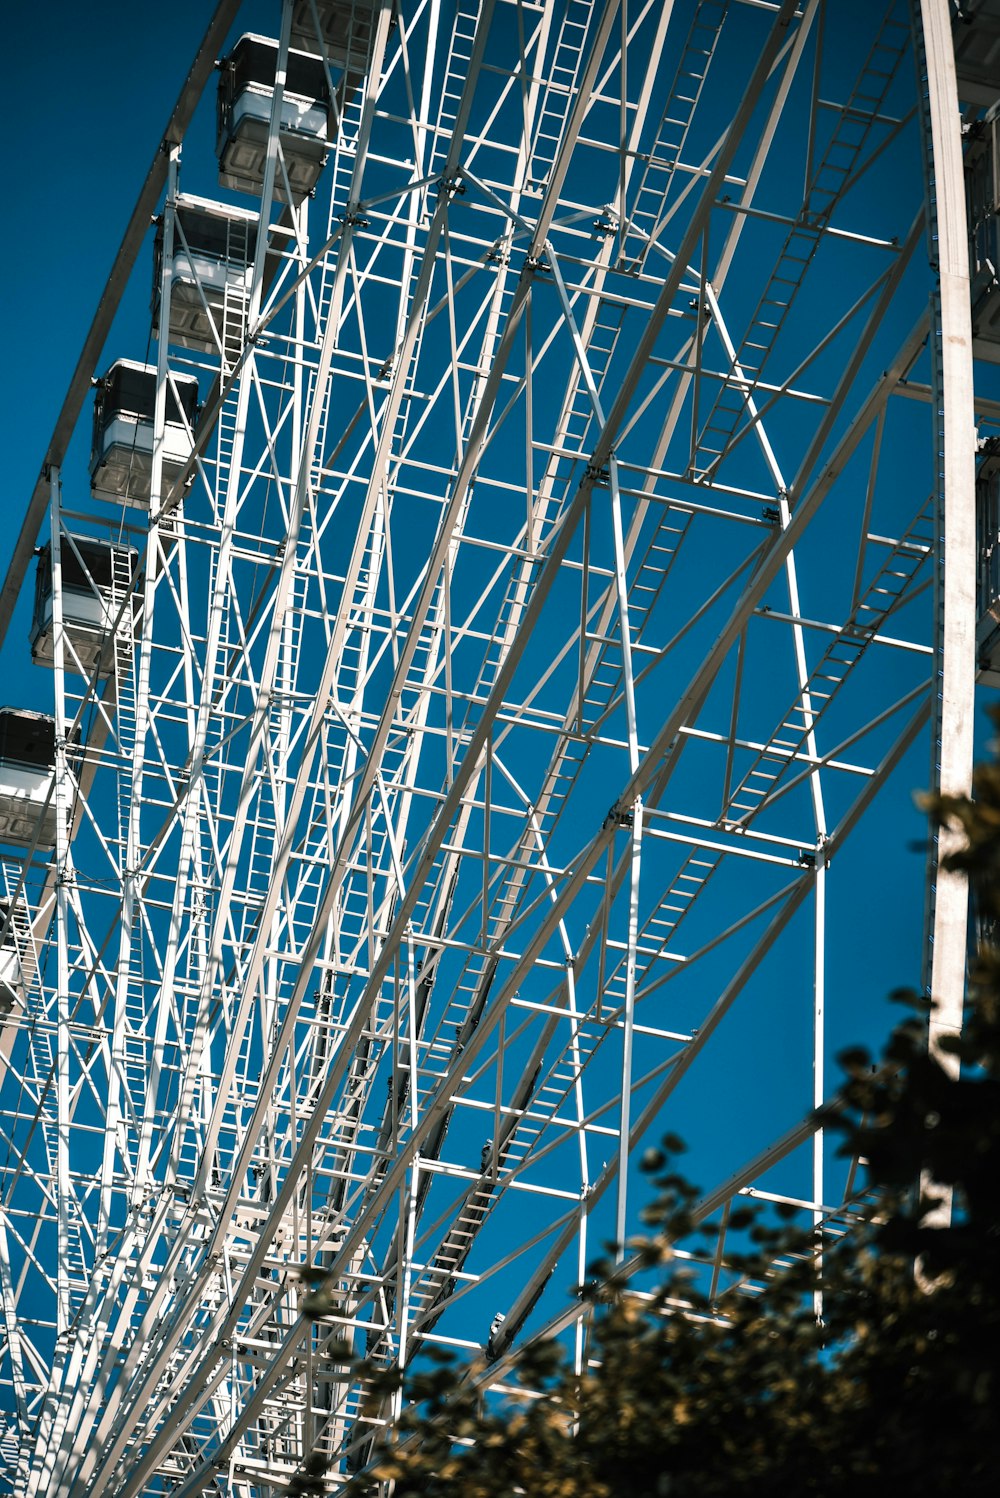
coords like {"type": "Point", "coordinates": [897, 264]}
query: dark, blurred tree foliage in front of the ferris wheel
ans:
{"type": "Point", "coordinates": [897, 1386]}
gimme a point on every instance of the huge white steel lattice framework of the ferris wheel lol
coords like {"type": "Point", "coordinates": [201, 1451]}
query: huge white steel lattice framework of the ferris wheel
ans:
{"type": "Point", "coordinates": [516, 582]}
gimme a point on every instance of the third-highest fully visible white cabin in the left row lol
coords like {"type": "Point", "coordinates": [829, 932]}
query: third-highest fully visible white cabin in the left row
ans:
{"type": "Point", "coordinates": [122, 456]}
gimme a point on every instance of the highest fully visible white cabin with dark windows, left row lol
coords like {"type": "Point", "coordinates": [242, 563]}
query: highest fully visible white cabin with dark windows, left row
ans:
{"type": "Point", "coordinates": [246, 89]}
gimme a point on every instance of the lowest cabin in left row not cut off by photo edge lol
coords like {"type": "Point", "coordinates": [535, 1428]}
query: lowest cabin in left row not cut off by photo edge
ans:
{"type": "Point", "coordinates": [97, 580]}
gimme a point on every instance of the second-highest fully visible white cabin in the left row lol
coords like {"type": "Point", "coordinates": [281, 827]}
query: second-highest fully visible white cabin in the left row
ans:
{"type": "Point", "coordinates": [212, 267]}
